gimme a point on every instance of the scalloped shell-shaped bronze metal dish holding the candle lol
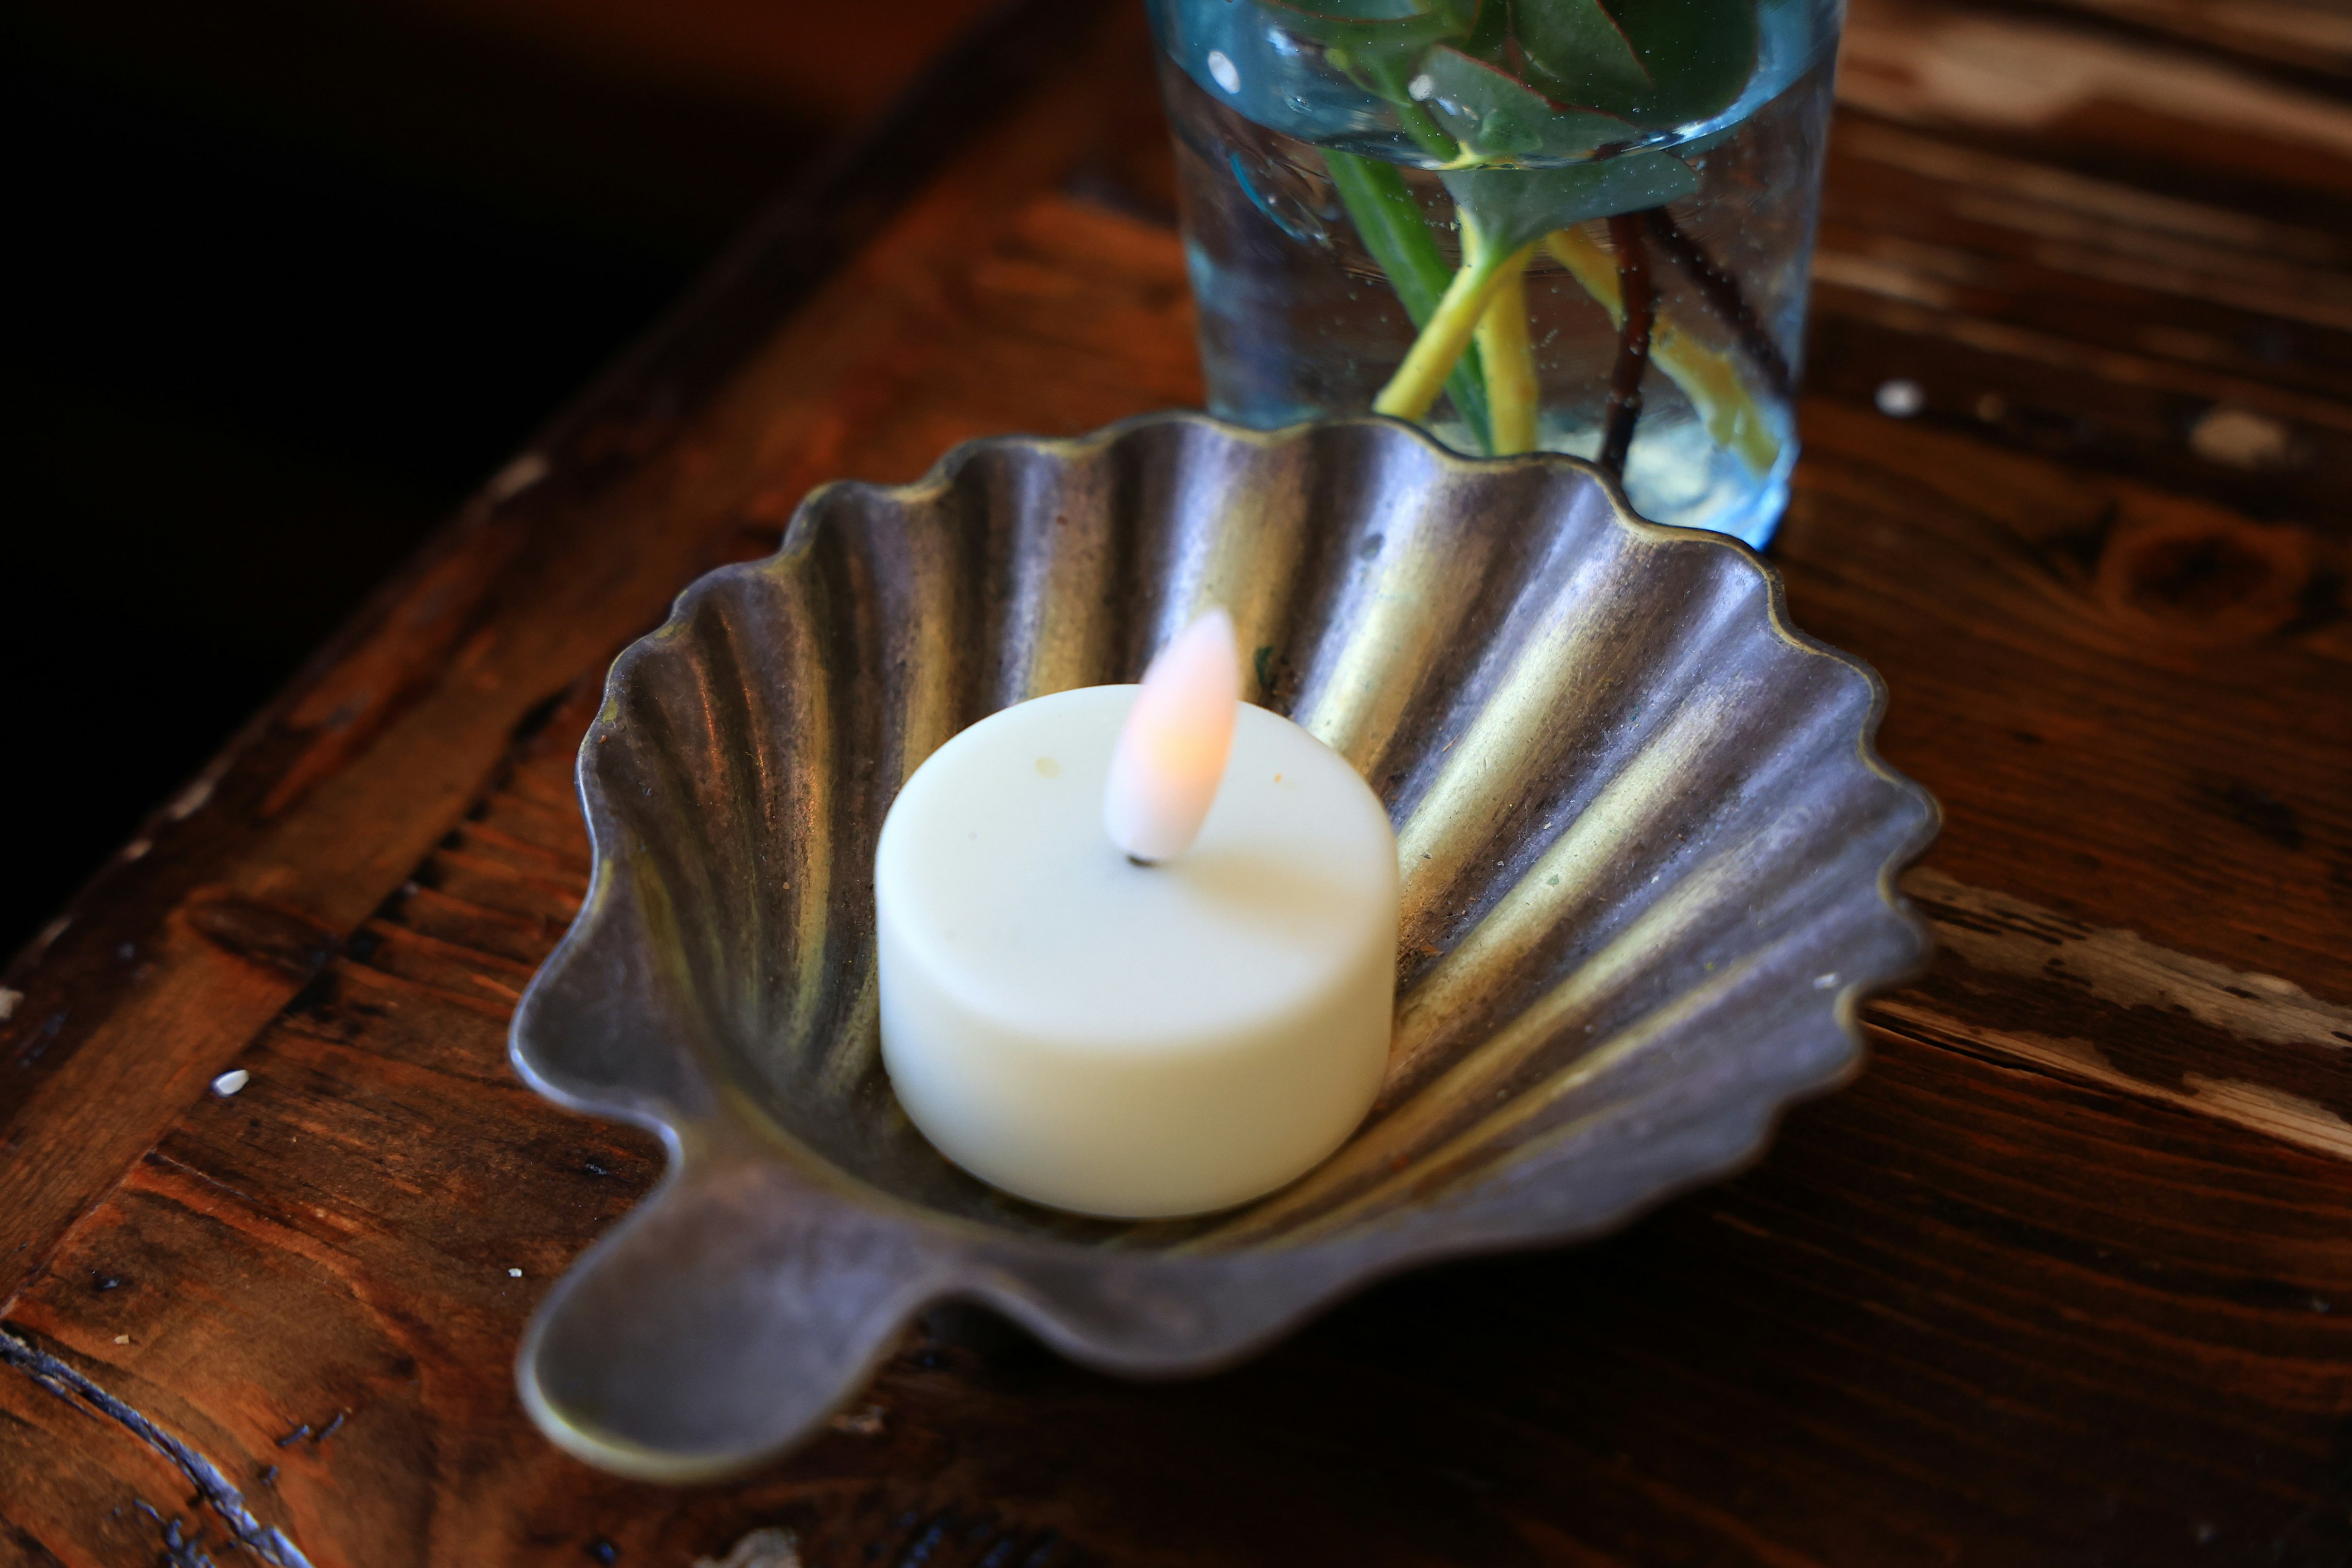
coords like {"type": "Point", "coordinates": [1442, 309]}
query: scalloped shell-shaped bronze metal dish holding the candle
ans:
{"type": "Point", "coordinates": [1648, 857]}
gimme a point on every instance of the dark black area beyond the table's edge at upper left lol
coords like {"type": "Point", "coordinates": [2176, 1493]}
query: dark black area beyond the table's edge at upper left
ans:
{"type": "Point", "coordinates": [290, 281]}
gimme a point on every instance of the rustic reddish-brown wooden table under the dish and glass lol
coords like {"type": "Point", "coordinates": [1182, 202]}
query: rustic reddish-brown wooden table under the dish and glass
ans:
{"type": "Point", "coordinates": [2066, 1278]}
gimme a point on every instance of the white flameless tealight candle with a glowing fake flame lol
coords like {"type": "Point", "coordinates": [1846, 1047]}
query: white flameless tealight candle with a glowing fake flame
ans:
{"type": "Point", "coordinates": [1132, 1038]}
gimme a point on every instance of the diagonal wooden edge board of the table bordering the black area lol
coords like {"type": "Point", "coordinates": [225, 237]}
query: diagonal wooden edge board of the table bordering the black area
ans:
{"type": "Point", "coordinates": [563, 561]}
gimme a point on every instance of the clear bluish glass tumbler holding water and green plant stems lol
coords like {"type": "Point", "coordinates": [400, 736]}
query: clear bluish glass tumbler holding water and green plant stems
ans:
{"type": "Point", "coordinates": [1528, 225]}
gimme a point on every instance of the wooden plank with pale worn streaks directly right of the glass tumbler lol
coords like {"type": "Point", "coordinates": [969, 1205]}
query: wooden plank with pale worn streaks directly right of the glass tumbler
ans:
{"type": "Point", "coordinates": [2064, 297]}
